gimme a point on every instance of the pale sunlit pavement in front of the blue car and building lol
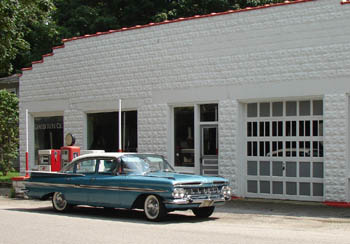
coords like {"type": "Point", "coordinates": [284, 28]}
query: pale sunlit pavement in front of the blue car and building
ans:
{"type": "Point", "coordinates": [239, 221]}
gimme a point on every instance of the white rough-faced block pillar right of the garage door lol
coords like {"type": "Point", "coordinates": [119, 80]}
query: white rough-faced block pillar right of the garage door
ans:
{"type": "Point", "coordinates": [335, 143]}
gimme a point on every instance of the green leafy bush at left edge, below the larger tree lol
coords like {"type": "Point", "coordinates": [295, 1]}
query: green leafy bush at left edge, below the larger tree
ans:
{"type": "Point", "coordinates": [8, 130]}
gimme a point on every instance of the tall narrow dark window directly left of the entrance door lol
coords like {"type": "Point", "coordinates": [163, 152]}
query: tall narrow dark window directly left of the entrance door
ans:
{"type": "Point", "coordinates": [184, 136]}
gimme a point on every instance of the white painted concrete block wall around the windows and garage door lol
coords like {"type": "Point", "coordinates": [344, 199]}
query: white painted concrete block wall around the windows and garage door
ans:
{"type": "Point", "coordinates": [296, 50]}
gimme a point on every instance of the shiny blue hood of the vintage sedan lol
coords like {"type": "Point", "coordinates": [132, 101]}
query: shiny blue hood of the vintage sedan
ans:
{"type": "Point", "coordinates": [188, 179]}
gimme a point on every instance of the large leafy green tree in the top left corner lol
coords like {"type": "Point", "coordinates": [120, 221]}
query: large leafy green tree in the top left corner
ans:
{"type": "Point", "coordinates": [27, 31]}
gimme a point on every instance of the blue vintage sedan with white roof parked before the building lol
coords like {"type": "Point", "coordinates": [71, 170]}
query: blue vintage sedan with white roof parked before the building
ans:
{"type": "Point", "coordinates": [126, 180]}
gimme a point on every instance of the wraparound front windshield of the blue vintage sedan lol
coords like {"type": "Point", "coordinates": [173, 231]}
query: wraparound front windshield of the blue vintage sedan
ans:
{"type": "Point", "coordinates": [144, 163]}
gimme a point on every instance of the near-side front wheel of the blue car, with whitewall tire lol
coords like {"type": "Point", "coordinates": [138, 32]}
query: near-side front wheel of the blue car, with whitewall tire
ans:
{"type": "Point", "coordinates": [154, 208]}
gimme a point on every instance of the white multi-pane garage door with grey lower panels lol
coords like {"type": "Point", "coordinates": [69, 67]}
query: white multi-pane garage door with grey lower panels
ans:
{"type": "Point", "coordinates": [284, 150]}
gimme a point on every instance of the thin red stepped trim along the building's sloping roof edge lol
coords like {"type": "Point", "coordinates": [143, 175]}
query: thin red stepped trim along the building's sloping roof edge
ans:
{"type": "Point", "coordinates": [172, 21]}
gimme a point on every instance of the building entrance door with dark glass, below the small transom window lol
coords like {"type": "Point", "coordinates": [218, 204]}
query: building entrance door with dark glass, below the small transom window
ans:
{"type": "Point", "coordinates": [209, 150]}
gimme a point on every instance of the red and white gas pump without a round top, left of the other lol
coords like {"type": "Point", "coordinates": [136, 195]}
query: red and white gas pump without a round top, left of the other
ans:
{"type": "Point", "coordinates": [49, 160]}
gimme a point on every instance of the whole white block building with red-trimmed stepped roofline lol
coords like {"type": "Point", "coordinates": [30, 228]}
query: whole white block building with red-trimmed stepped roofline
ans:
{"type": "Point", "coordinates": [259, 95]}
